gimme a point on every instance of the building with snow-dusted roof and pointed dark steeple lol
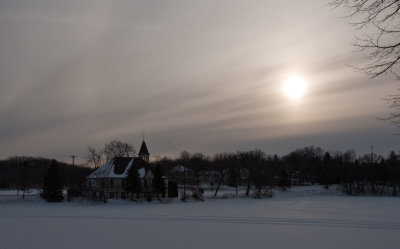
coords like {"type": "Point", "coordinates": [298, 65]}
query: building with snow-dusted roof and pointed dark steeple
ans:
{"type": "Point", "coordinates": [109, 181]}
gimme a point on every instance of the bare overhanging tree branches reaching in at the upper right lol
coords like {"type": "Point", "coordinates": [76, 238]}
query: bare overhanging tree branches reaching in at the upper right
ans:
{"type": "Point", "coordinates": [379, 21]}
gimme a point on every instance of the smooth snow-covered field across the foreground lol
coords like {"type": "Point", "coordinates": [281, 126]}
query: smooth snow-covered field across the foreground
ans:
{"type": "Point", "coordinates": [303, 217]}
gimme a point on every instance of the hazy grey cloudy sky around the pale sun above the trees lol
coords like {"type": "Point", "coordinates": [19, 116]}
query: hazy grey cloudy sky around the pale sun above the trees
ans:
{"type": "Point", "coordinates": [202, 76]}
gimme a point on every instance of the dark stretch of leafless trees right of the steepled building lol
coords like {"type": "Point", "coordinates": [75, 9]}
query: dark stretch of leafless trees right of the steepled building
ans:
{"type": "Point", "coordinates": [255, 173]}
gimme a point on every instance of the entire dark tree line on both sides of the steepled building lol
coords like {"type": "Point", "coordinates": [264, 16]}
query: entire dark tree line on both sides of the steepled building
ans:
{"type": "Point", "coordinates": [251, 173]}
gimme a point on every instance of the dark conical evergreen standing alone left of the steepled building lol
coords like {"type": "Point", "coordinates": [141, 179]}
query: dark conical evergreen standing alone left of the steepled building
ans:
{"type": "Point", "coordinates": [52, 186]}
